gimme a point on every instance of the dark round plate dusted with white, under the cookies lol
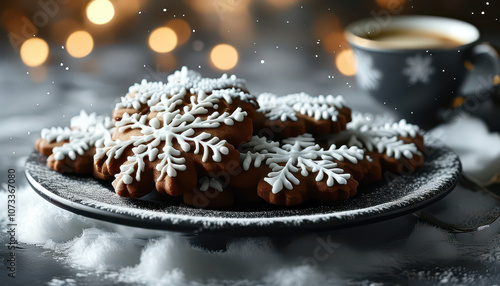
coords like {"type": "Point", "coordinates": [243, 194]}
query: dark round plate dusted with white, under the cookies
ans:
{"type": "Point", "coordinates": [394, 197]}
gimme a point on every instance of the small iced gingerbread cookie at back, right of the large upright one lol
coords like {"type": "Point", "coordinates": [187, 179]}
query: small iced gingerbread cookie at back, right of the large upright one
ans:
{"type": "Point", "coordinates": [295, 114]}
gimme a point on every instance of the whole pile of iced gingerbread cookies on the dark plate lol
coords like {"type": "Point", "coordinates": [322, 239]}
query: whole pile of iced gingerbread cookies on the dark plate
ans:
{"type": "Point", "coordinates": [211, 142]}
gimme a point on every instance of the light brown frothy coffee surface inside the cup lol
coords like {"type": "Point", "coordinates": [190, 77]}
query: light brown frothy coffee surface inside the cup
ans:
{"type": "Point", "coordinates": [414, 39]}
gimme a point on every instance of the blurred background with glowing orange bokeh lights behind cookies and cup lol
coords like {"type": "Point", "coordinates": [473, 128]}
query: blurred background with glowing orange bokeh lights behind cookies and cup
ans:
{"type": "Point", "coordinates": [60, 56]}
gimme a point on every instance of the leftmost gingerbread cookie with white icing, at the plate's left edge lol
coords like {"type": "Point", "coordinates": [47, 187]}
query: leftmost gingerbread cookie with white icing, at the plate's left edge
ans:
{"type": "Point", "coordinates": [71, 150]}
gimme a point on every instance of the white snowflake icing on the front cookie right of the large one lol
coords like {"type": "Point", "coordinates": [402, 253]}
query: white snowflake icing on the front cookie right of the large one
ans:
{"type": "Point", "coordinates": [298, 154]}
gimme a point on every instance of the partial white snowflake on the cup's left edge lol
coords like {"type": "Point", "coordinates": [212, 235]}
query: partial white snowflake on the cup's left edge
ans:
{"type": "Point", "coordinates": [368, 76]}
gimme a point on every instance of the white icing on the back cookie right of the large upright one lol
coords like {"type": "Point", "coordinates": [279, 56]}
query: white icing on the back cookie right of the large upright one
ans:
{"type": "Point", "coordinates": [286, 107]}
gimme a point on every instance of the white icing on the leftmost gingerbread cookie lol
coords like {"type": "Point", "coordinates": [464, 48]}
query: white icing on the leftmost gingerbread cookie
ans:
{"type": "Point", "coordinates": [87, 130]}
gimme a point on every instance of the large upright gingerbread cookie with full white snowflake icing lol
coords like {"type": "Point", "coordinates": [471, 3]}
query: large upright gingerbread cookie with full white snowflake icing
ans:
{"type": "Point", "coordinates": [181, 137]}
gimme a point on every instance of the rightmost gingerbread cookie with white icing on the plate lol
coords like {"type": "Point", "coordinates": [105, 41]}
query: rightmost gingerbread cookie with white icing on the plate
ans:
{"type": "Point", "coordinates": [395, 145]}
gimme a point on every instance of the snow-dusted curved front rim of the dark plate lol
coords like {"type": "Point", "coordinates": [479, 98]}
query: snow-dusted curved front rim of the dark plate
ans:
{"type": "Point", "coordinates": [197, 223]}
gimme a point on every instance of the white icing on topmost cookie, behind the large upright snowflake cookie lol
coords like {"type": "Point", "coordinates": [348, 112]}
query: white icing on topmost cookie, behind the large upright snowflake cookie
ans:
{"type": "Point", "coordinates": [151, 92]}
